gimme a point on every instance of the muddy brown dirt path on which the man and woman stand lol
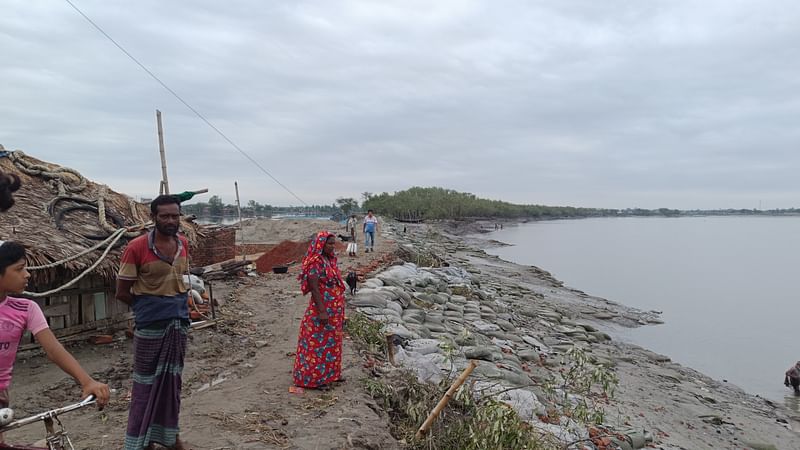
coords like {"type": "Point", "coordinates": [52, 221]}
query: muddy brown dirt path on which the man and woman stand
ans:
{"type": "Point", "coordinates": [236, 381]}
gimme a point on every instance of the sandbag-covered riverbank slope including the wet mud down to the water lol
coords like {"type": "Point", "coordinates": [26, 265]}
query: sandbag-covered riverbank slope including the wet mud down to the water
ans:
{"type": "Point", "coordinates": [518, 314]}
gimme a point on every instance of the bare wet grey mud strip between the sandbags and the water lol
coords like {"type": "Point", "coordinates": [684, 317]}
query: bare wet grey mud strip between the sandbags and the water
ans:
{"type": "Point", "coordinates": [679, 406]}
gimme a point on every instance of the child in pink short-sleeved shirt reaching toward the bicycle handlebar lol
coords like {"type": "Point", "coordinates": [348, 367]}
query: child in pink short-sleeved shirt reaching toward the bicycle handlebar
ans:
{"type": "Point", "coordinates": [18, 315]}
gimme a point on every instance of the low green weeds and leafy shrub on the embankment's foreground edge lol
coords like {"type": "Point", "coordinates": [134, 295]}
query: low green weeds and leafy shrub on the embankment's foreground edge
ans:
{"type": "Point", "coordinates": [577, 397]}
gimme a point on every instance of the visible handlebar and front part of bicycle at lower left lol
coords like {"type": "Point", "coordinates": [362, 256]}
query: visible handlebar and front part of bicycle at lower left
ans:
{"type": "Point", "coordinates": [56, 439]}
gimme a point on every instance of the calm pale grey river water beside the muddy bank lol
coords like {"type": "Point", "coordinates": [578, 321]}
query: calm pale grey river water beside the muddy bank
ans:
{"type": "Point", "coordinates": [727, 286]}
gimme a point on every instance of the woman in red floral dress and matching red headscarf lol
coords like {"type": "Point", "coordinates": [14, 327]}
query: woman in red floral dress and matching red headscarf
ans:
{"type": "Point", "coordinates": [318, 361]}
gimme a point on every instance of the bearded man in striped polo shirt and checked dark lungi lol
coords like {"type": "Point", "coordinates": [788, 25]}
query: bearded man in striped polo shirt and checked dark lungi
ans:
{"type": "Point", "coordinates": [150, 279]}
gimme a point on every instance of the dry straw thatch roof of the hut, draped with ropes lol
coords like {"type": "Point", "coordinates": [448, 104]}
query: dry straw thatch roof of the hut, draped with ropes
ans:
{"type": "Point", "coordinates": [30, 223]}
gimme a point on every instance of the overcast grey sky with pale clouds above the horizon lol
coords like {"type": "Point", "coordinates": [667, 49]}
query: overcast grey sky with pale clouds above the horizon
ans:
{"type": "Point", "coordinates": [680, 104]}
